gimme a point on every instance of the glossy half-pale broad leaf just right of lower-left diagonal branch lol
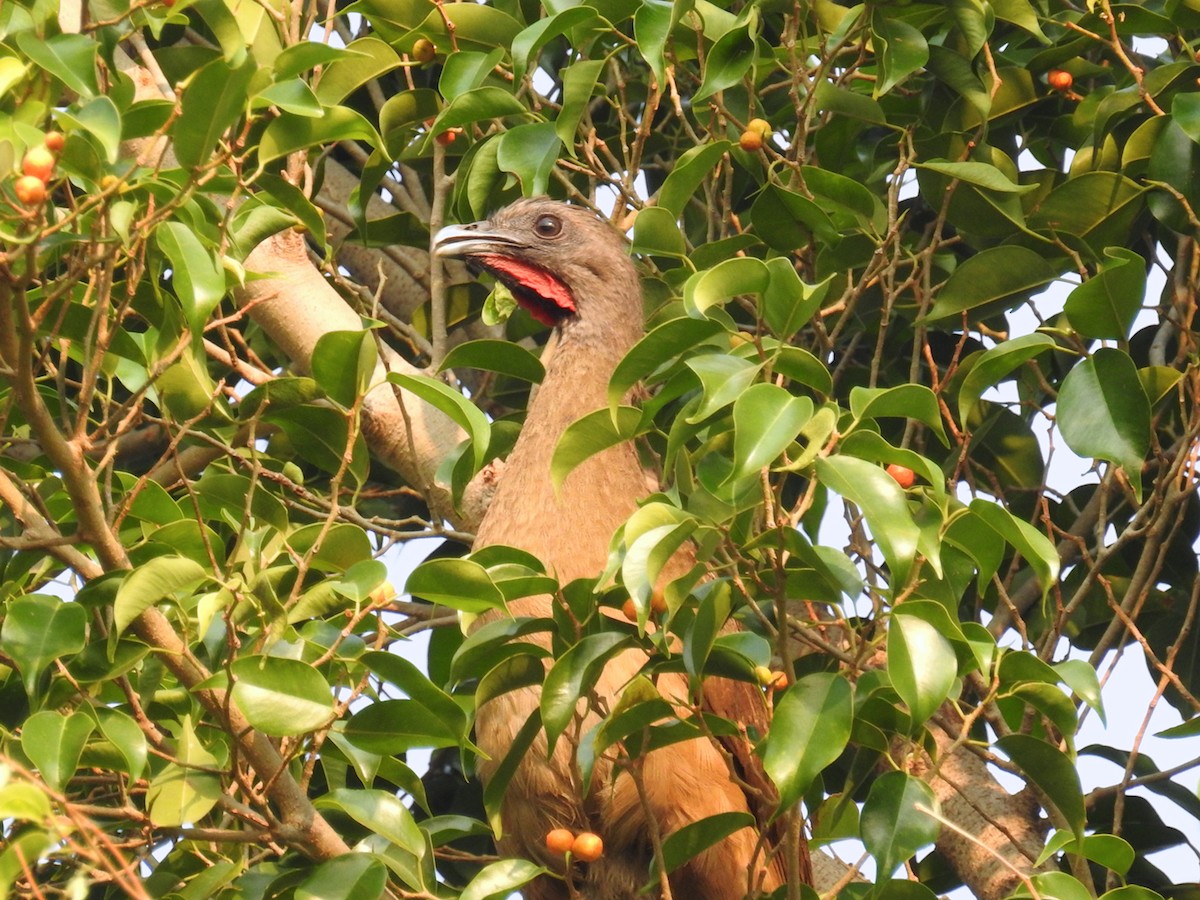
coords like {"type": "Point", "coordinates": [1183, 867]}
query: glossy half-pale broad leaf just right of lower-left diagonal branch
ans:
{"type": "Point", "coordinates": [281, 698]}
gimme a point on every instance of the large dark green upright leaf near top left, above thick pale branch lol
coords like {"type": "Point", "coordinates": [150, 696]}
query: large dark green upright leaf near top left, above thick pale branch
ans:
{"type": "Point", "coordinates": [214, 100]}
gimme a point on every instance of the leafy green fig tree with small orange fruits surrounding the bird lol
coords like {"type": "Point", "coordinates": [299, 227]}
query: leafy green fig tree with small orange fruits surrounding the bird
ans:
{"type": "Point", "coordinates": [233, 382]}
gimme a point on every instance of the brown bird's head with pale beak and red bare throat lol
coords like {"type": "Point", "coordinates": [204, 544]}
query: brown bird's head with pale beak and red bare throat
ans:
{"type": "Point", "coordinates": [562, 263]}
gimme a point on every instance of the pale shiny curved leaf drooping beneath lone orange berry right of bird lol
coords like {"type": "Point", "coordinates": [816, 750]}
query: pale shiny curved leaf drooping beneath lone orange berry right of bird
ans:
{"type": "Point", "coordinates": [884, 503]}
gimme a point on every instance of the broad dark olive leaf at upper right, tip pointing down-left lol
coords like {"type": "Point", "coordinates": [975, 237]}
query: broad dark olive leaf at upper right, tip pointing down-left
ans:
{"type": "Point", "coordinates": [1000, 277]}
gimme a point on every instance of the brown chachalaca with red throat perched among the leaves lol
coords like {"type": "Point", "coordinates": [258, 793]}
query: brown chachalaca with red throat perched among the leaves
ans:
{"type": "Point", "coordinates": [571, 271]}
